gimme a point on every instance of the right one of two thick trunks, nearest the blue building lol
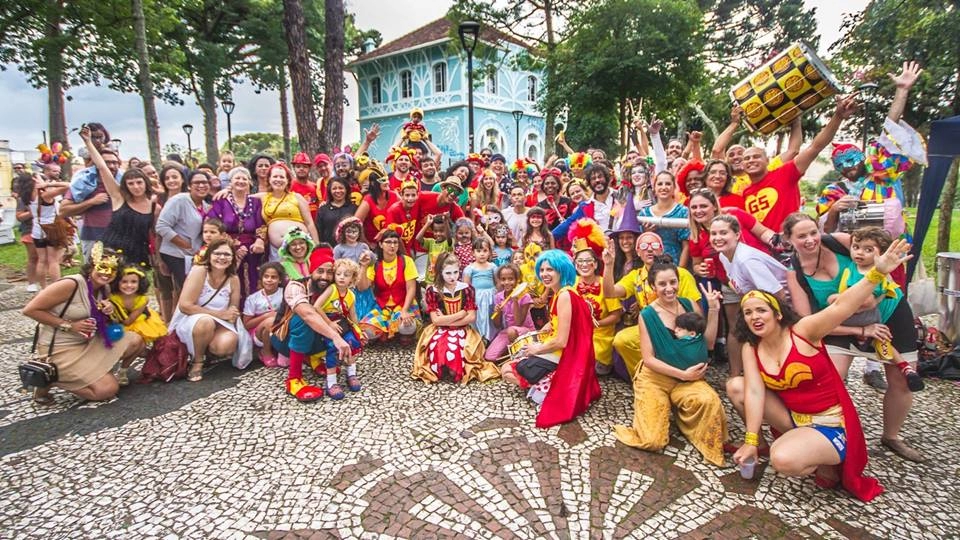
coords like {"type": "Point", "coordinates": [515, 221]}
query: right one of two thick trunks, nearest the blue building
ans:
{"type": "Point", "coordinates": [331, 133]}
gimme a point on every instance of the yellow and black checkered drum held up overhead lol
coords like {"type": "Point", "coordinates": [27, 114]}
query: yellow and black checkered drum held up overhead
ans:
{"type": "Point", "coordinates": [793, 82]}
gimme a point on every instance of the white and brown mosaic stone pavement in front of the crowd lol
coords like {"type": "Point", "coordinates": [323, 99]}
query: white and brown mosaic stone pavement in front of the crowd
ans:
{"type": "Point", "coordinates": [234, 457]}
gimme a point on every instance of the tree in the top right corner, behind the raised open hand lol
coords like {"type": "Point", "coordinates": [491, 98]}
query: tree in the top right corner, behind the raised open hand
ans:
{"type": "Point", "coordinates": [889, 32]}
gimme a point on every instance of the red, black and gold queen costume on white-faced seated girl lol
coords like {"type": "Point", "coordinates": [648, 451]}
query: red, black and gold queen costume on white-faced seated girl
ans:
{"type": "Point", "coordinates": [458, 350]}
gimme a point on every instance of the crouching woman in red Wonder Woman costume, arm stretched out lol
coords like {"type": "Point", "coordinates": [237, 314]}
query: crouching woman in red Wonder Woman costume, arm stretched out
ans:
{"type": "Point", "coordinates": [790, 382]}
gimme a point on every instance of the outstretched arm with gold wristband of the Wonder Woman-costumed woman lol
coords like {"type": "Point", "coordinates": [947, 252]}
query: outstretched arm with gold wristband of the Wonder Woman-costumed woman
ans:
{"type": "Point", "coordinates": [815, 327]}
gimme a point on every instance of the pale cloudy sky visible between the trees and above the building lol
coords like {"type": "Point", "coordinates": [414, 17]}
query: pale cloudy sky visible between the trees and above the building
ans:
{"type": "Point", "coordinates": [24, 109]}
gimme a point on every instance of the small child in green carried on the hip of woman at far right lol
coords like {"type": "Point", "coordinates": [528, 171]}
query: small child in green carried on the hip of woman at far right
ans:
{"type": "Point", "coordinates": [865, 244]}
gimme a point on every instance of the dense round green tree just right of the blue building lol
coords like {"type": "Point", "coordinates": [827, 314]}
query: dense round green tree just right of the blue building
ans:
{"type": "Point", "coordinates": [626, 57]}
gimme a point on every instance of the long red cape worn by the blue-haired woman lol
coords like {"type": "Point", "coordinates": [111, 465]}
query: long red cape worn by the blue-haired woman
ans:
{"type": "Point", "coordinates": [574, 386]}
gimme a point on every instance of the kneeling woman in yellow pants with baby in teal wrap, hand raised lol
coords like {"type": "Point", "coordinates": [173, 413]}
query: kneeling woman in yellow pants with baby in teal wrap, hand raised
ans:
{"type": "Point", "coordinates": [675, 344]}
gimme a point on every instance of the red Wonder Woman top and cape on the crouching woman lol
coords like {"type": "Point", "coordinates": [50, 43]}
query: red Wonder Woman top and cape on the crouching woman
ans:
{"type": "Point", "coordinates": [811, 385]}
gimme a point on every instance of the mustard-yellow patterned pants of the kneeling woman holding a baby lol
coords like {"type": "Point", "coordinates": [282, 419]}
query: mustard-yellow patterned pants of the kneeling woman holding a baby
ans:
{"type": "Point", "coordinates": [699, 413]}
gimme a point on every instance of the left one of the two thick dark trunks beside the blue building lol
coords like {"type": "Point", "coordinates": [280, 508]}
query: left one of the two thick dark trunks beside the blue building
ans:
{"type": "Point", "coordinates": [295, 26]}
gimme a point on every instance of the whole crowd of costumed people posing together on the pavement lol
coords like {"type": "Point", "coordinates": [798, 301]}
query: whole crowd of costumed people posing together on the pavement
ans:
{"type": "Point", "coordinates": [644, 268]}
